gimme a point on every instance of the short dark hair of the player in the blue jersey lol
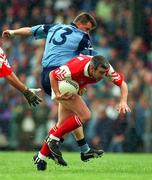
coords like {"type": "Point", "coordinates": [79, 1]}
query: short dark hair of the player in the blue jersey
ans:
{"type": "Point", "coordinates": [84, 18]}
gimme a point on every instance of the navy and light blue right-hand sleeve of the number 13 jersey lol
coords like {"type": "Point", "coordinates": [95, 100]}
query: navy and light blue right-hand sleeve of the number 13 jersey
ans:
{"type": "Point", "coordinates": [85, 46]}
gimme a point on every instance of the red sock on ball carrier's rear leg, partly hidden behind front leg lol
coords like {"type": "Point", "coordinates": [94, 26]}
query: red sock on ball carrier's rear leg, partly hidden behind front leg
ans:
{"type": "Point", "coordinates": [45, 151]}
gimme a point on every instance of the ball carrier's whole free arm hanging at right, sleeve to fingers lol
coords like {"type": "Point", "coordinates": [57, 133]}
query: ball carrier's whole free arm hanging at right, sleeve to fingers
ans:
{"type": "Point", "coordinates": [118, 80]}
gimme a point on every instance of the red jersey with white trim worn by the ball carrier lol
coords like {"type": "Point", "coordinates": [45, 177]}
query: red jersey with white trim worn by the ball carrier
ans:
{"type": "Point", "coordinates": [77, 69]}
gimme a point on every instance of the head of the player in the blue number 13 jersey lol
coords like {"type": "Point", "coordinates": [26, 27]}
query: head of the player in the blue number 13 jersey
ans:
{"type": "Point", "coordinates": [85, 22]}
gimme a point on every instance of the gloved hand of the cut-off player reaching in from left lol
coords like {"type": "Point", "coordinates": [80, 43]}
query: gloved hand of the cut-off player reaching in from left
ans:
{"type": "Point", "coordinates": [32, 98]}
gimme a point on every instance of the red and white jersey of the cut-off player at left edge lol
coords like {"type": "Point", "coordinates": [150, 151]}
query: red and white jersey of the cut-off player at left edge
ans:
{"type": "Point", "coordinates": [5, 68]}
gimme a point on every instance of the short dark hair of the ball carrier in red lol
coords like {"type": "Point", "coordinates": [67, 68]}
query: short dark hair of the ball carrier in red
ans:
{"type": "Point", "coordinates": [99, 61]}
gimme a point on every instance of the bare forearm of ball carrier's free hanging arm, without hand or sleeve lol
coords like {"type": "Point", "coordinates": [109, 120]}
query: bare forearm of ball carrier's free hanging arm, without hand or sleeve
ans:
{"type": "Point", "coordinates": [124, 92]}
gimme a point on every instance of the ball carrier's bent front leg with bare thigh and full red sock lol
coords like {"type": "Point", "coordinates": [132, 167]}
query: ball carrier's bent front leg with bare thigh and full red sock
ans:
{"type": "Point", "coordinates": [81, 114]}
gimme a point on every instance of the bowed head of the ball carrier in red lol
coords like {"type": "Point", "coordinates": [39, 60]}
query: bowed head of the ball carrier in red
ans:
{"type": "Point", "coordinates": [98, 67]}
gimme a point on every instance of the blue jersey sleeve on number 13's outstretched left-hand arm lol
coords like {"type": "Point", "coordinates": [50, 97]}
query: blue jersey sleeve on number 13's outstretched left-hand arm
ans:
{"type": "Point", "coordinates": [41, 31]}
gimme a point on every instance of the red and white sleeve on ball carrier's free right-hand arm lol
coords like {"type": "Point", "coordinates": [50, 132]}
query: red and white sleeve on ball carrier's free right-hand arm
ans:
{"type": "Point", "coordinates": [115, 77]}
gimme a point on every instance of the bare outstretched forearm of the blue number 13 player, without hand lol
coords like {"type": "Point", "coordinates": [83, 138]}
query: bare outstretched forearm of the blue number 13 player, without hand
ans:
{"type": "Point", "coordinates": [26, 31]}
